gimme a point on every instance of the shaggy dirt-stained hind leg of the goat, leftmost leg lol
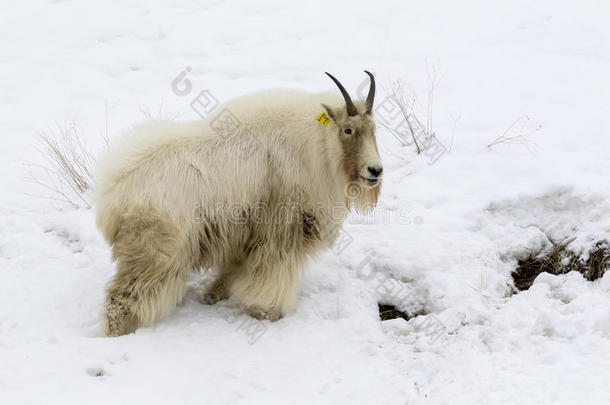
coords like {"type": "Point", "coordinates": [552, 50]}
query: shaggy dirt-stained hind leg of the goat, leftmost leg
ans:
{"type": "Point", "coordinates": [153, 270]}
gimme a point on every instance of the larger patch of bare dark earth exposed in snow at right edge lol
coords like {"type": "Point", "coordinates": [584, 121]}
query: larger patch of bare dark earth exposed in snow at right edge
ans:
{"type": "Point", "coordinates": [561, 260]}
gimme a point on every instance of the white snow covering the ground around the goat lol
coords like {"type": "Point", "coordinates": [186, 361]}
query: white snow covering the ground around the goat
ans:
{"type": "Point", "coordinates": [442, 243]}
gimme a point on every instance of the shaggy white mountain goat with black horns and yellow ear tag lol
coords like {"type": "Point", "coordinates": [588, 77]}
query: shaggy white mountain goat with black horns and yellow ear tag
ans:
{"type": "Point", "coordinates": [252, 197]}
